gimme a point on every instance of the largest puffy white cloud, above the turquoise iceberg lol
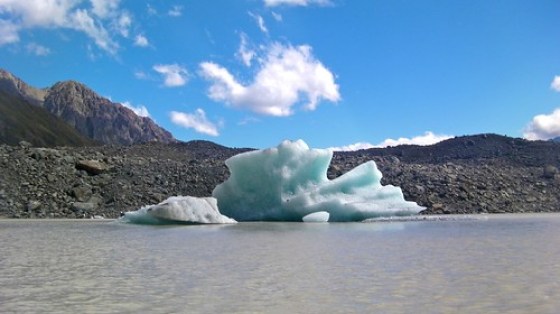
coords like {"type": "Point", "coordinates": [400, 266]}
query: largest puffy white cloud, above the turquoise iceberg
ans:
{"type": "Point", "coordinates": [286, 76]}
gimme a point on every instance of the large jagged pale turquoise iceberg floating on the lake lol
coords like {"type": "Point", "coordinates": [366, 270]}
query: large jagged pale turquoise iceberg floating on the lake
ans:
{"type": "Point", "coordinates": [289, 182]}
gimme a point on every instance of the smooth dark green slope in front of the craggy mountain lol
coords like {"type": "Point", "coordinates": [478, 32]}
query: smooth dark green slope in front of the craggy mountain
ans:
{"type": "Point", "coordinates": [20, 120]}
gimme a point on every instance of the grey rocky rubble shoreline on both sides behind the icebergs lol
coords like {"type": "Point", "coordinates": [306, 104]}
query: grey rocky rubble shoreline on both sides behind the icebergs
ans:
{"type": "Point", "coordinates": [83, 182]}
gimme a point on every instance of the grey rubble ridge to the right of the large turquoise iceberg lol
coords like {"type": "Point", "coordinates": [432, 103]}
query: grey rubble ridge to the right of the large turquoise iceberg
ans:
{"type": "Point", "coordinates": [485, 173]}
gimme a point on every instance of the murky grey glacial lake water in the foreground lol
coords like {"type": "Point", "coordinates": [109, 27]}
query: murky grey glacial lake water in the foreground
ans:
{"type": "Point", "coordinates": [489, 264]}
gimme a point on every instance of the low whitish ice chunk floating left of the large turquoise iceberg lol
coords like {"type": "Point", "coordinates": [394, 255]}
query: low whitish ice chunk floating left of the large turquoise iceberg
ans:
{"type": "Point", "coordinates": [179, 209]}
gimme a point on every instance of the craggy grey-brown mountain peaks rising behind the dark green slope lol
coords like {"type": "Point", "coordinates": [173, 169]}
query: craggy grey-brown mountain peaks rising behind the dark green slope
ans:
{"type": "Point", "coordinates": [91, 115]}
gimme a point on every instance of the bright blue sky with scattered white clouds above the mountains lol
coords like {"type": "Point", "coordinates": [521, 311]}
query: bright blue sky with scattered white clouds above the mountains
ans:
{"type": "Point", "coordinates": [335, 73]}
